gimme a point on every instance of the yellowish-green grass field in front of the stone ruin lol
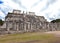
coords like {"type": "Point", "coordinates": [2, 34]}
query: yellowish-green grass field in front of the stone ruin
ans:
{"type": "Point", "coordinates": [15, 38]}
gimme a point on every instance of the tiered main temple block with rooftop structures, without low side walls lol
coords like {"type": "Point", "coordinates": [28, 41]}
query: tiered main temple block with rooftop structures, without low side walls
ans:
{"type": "Point", "coordinates": [17, 21]}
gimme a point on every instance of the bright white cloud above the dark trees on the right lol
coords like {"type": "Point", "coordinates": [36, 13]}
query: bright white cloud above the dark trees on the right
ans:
{"type": "Point", "coordinates": [53, 10]}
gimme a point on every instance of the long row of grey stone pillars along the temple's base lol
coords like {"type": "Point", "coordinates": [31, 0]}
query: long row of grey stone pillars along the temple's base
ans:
{"type": "Point", "coordinates": [29, 26]}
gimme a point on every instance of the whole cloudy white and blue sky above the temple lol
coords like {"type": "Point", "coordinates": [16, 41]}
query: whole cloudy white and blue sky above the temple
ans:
{"type": "Point", "coordinates": [50, 9]}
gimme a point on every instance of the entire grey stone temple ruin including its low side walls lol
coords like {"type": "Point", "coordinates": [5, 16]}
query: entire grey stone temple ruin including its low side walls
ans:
{"type": "Point", "coordinates": [17, 22]}
